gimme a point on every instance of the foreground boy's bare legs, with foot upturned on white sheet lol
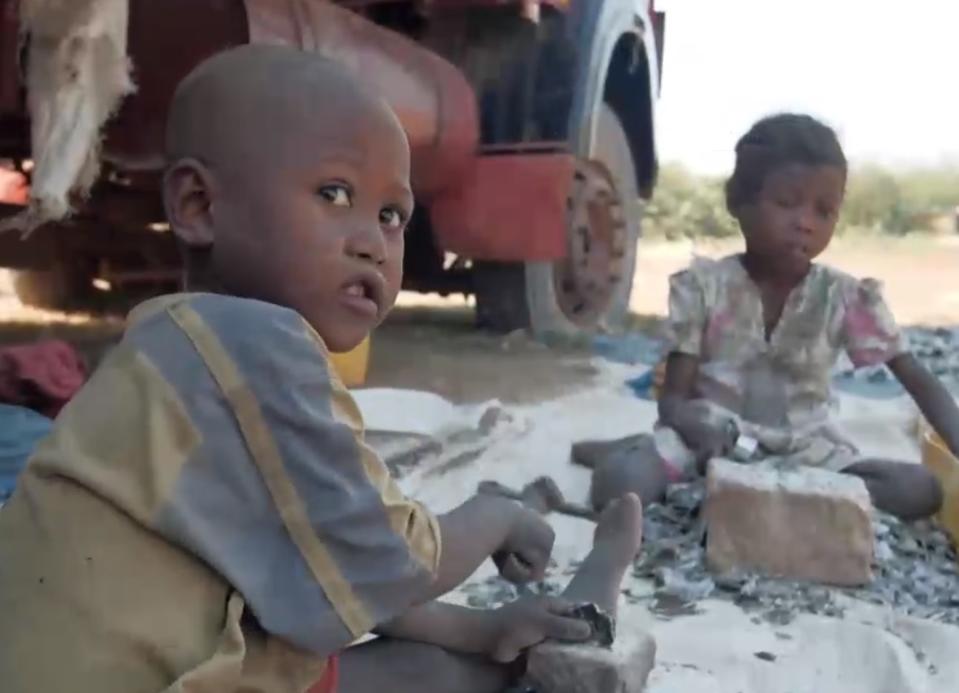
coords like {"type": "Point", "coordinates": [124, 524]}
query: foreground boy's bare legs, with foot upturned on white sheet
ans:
{"type": "Point", "coordinates": [407, 667]}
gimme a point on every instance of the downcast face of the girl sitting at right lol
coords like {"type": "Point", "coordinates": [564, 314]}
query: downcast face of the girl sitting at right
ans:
{"type": "Point", "coordinates": [792, 220]}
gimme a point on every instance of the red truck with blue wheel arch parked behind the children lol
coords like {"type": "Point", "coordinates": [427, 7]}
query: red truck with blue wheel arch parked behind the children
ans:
{"type": "Point", "coordinates": [531, 124]}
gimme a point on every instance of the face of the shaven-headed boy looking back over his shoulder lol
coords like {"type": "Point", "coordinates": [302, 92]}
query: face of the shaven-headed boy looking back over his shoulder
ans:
{"type": "Point", "coordinates": [318, 225]}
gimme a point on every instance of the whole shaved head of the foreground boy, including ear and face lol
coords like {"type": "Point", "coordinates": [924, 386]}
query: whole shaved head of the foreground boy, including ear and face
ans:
{"type": "Point", "coordinates": [289, 183]}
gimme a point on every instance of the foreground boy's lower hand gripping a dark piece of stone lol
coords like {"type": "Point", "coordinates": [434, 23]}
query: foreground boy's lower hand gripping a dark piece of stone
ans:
{"type": "Point", "coordinates": [528, 622]}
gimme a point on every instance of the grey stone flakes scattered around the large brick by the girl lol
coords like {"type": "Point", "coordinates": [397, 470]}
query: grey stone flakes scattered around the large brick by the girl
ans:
{"type": "Point", "coordinates": [915, 571]}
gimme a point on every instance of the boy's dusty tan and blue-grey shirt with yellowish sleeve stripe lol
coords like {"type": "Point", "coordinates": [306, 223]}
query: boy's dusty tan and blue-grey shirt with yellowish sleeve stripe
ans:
{"type": "Point", "coordinates": [204, 517]}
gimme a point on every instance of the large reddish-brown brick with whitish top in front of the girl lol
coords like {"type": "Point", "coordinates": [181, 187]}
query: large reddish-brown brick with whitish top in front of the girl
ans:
{"type": "Point", "coordinates": [804, 524]}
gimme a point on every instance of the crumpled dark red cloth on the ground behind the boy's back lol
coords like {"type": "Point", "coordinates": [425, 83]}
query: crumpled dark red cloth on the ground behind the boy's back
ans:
{"type": "Point", "coordinates": [42, 376]}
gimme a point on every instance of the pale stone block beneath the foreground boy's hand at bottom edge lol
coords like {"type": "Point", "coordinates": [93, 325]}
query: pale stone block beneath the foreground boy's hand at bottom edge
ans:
{"type": "Point", "coordinates": [562, 668]}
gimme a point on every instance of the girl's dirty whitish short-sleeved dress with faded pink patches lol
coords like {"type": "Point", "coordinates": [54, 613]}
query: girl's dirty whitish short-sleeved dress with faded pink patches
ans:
{"type": "Point", "coordinates": [776, 389]}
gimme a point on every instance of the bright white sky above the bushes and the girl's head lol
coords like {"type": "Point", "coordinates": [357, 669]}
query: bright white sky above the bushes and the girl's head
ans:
{"type": "Point", "coordinates": [884, 73]}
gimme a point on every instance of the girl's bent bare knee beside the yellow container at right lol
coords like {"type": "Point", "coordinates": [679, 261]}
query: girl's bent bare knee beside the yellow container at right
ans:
{"type": "Point", "coordinates": [908, 491]}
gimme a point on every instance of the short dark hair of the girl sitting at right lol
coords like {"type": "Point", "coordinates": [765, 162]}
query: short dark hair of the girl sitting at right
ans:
{"type": "Point", "coordinates": [777, 141]}
